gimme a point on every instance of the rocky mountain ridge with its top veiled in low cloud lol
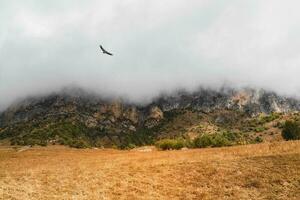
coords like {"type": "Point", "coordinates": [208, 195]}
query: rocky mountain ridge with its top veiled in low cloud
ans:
{"type": "Point", "coordinates": [79, 118]}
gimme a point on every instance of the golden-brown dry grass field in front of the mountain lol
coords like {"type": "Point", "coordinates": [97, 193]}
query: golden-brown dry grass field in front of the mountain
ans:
{"type": "Point", "coordinates": [262, 171]}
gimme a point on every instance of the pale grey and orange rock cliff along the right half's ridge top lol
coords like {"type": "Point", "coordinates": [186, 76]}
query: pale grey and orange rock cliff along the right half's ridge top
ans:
{"type": "Point", "coordinates": [250, 101]}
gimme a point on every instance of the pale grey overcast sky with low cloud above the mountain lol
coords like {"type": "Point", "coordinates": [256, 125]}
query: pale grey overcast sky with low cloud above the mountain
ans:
{"type": "Point", "coordinates": [159, 46]}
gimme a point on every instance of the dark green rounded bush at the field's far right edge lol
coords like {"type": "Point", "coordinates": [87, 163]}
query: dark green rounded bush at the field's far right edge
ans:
{"type": "Point", "coordinates": [291, 131]}
